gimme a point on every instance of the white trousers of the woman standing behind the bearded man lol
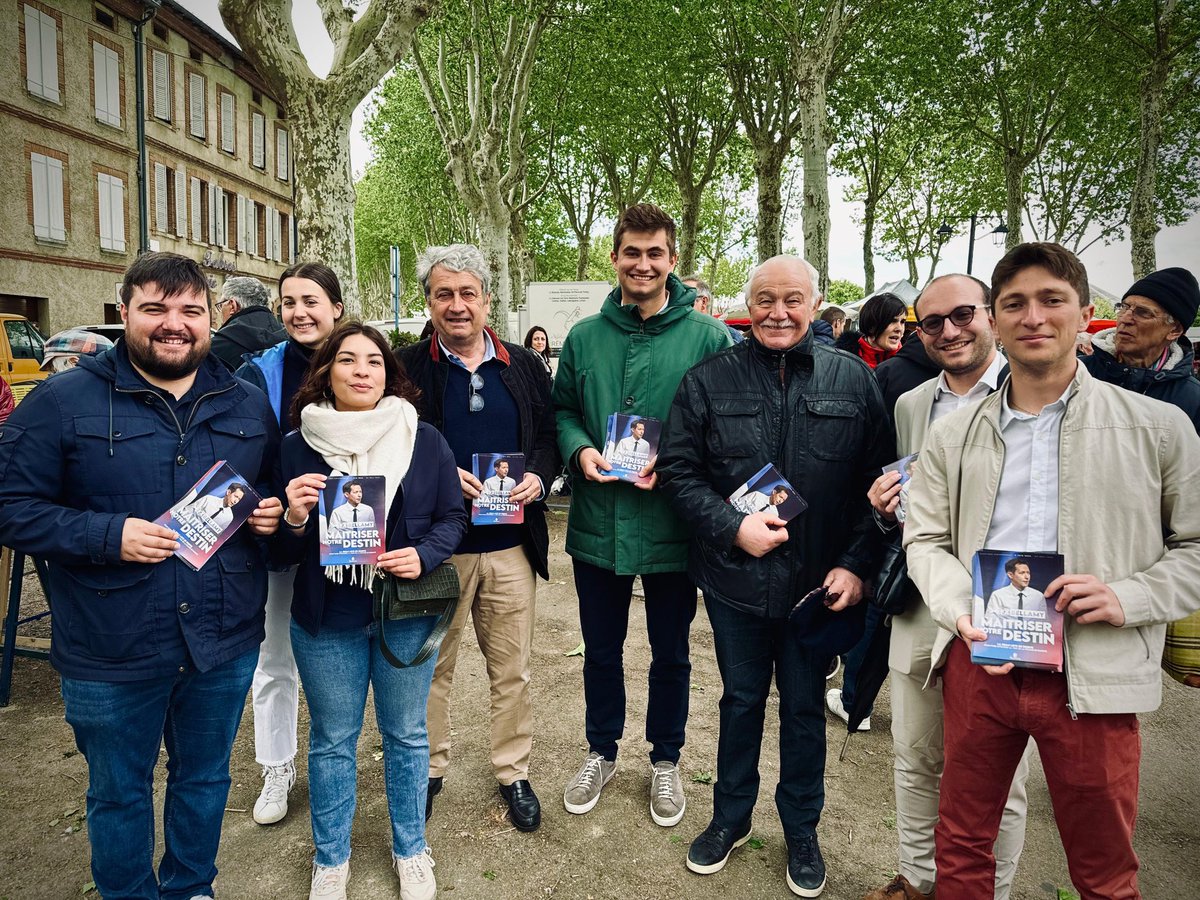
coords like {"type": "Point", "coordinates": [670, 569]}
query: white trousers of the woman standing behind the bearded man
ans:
{"type": "Point", "coordinates": [277, 686]}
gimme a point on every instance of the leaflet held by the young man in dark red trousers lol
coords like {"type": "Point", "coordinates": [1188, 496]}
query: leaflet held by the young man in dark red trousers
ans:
{"type": "Point", "coordinates": [1011, 605]}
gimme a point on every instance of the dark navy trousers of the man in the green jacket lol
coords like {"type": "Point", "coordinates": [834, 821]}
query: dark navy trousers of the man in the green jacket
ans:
{"type": "Point", "coordinates": [604, 619]}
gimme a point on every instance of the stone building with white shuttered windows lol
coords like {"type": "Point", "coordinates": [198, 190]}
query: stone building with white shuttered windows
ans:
{"type": "Point", "coordinates": [219, 173]}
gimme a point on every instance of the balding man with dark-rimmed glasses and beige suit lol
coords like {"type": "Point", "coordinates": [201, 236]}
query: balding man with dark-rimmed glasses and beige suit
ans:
{"type": "Point", "coordinates": [956, 329]}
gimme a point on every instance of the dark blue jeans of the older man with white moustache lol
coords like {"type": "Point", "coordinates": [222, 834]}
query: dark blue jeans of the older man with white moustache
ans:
{"type": "Point", "coordinates": [749, 651]}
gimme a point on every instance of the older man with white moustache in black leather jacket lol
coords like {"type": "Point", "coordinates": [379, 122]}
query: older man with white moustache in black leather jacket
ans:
{"type": "Point", "coordinates": [818, 417]}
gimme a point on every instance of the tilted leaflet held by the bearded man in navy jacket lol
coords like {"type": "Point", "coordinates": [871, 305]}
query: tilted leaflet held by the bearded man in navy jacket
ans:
{"type": "Point", "coordinates": [209, 514]}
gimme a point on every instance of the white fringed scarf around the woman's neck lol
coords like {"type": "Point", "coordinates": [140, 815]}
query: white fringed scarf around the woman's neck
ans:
{"type": "Point", "coordinates": [371, 442]}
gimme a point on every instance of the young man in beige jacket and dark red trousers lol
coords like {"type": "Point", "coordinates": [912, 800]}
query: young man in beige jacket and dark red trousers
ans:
{"type": "Point", "coordinates": [1017, 472]}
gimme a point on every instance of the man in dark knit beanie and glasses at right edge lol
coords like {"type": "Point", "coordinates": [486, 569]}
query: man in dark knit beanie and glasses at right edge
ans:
{"type": "Point", "coordinates": [1148, 352]}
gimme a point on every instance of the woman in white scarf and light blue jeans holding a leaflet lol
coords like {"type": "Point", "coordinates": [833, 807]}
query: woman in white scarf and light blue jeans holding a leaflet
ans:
{"type": "Point", "coordinates": [357, 418]}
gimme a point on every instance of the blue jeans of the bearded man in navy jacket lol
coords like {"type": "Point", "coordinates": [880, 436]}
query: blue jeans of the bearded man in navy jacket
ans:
{"type": "Point", "coordinates": [119, 728]}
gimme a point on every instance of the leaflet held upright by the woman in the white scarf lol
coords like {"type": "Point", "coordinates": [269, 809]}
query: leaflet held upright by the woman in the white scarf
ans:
{"type": "Point", "coordinates": [352, 518]}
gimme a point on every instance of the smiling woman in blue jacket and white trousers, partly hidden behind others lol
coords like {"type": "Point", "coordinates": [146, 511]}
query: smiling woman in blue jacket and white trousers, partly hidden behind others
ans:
{"type": "Point", "coordinates": [311, 299]}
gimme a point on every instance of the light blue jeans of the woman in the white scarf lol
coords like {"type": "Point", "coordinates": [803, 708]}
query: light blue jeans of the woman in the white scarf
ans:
{"type": "Point", "coordinates": [335, 668]}
